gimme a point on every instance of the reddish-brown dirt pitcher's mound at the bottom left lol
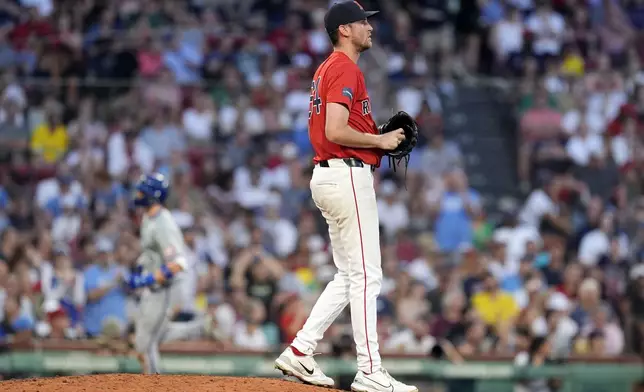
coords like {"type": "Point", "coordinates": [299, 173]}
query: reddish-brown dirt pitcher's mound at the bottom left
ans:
{"type": "Point", "coordinates": [155, 383]}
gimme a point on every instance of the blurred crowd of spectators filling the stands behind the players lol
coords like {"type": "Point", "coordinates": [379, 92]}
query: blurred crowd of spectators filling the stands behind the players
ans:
{"type": "Point", "coordinates": [215, 95]}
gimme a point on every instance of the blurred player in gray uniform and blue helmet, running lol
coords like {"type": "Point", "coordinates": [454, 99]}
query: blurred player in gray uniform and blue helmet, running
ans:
{"type": "Point", "coordinates": [160, 268]}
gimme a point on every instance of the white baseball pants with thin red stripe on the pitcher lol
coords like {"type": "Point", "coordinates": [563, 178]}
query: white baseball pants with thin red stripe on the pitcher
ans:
{"type": "Point", "coordinates": [346, 198]}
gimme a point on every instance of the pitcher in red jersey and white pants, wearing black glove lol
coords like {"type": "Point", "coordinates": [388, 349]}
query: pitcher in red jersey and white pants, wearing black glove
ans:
{"type": "Point", "coordinates": [348, 146]}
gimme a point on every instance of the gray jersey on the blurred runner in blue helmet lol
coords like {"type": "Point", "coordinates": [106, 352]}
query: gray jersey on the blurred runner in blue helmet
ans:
{"type": "Point", "coordinates": [161, 242]}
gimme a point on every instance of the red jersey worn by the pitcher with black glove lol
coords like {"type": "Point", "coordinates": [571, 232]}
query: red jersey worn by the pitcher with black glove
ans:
{"type": "Point", "coordinates": [340, 80]}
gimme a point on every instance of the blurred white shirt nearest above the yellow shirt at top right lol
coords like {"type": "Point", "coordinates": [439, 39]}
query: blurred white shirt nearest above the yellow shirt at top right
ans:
{"type": "Point", "coordinates": [543, 26]}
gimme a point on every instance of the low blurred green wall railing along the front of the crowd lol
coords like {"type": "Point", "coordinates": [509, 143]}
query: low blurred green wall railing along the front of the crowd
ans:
{"type": "Point", "coordinates": [485, 374]}
